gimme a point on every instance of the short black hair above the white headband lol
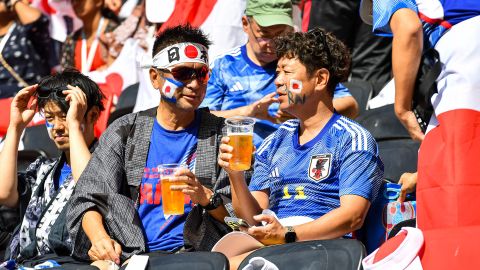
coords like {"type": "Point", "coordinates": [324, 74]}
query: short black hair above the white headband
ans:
{"type": "Point", "coordinates": [179, 34]}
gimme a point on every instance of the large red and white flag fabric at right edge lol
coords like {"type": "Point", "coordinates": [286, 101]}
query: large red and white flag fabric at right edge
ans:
{"type": "Point", "coordinates": [448, 164]}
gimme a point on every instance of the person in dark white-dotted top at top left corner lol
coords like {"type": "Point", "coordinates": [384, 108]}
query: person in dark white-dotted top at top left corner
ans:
{"type": "Point", "coordinates": [24, 46]}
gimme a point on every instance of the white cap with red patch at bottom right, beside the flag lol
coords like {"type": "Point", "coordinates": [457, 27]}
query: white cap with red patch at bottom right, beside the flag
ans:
{"type": "Point", "coordinates": [404, 257]}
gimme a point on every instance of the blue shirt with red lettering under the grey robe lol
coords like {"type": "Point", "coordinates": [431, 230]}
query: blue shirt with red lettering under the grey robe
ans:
{"type": "Point", "coordinates": [166, 147]}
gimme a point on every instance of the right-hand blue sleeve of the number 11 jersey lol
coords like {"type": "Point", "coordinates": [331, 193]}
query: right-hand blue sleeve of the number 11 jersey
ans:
{"type": "Point", "coordinates": [361, 172]}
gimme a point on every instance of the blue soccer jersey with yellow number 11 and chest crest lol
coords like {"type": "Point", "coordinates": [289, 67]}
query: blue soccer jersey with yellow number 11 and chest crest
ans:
{"type": "Point", "coordinates": [308, 180]}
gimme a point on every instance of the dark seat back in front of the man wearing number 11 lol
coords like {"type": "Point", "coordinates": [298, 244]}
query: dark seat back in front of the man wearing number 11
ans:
{"type": "Point", "coordinates": [335, 254]}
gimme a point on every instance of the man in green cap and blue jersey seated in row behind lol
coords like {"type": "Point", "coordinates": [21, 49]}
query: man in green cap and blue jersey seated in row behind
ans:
{"type": "Point", "coordinates": [242, 81]}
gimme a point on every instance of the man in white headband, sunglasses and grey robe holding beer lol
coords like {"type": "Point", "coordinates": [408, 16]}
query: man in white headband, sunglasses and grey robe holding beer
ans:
{"type": "Point", "coordinates": [118, 205]}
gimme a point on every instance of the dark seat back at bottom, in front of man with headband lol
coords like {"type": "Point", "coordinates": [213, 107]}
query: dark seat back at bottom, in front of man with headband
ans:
{"type": "Point", "coordinates": [188, 260]}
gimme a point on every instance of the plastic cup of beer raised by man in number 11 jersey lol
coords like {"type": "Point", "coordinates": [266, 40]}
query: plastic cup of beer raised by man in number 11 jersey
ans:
{"type": "Point", "coordinates": [240, 131]}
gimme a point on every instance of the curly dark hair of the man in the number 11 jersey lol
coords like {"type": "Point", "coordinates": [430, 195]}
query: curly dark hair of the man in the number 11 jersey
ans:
{"type": "Point", "coordinates": [317, 49]}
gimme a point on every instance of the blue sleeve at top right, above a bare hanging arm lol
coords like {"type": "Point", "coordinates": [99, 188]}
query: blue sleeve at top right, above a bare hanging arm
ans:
{"type": "Point", "coordinates": [383, 11]}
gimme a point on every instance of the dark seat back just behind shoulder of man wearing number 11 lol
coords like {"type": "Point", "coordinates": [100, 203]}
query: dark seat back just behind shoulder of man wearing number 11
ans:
{"type": "Point", "coordinates": [383, 124]}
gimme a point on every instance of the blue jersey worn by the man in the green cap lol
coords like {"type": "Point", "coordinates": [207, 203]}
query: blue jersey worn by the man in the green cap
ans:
{"type": "Point", "coordinates": [235, 81]}
